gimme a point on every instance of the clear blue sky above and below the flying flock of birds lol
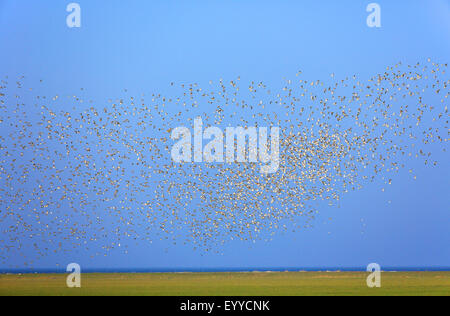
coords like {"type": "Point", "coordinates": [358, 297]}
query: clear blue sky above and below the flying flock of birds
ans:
{"type": "Point", "coordinates": [143, 46]}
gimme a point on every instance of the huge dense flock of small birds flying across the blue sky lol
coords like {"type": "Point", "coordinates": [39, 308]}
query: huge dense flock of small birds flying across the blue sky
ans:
{"type": "Point", "coordinates": [78, 175]}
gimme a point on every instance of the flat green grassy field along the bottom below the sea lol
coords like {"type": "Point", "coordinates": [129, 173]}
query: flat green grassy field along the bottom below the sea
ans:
{"type": "Point", "coordinates": [229, 284]}
